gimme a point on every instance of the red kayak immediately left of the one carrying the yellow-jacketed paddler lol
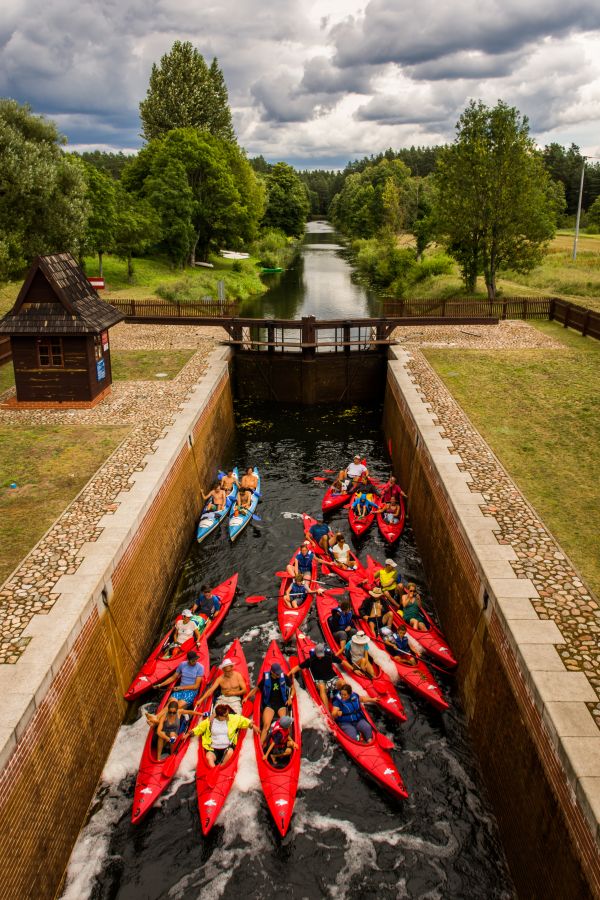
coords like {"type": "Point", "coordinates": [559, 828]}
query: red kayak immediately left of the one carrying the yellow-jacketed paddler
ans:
{"type": "Point", "coordinates": [156, 774]}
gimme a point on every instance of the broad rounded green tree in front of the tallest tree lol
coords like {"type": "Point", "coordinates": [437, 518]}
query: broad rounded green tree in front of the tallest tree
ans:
{"type": "Point", "coordinates": [223, 201]}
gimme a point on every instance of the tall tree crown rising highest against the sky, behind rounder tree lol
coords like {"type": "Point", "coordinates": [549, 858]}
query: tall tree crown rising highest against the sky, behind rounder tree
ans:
{"type": "Point", "coordinates": [185, 93]}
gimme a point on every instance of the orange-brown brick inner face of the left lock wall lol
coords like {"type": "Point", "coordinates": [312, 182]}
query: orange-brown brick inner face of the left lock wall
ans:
{"type": "Point", "coordinates": [50, 776]}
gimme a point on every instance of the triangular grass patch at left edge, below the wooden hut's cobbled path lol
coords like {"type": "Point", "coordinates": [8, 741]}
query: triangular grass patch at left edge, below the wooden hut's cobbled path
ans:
{"type": "Point", "coordinates": [50, 464]}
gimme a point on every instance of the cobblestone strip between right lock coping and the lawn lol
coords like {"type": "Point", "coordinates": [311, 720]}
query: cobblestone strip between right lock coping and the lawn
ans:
{"type": "Point", "coordinates": [564, 598]}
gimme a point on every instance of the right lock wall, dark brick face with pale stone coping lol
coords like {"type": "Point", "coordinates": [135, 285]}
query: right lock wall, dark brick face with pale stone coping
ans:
{"type": "Point", "coordinates": [527, 714]}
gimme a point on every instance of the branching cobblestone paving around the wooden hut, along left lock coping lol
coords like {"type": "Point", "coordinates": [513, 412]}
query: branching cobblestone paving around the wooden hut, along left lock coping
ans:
{"type": "Point", "coordinates": [149, 407]}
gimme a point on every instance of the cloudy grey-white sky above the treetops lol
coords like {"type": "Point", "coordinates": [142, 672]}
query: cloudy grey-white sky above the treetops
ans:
{"type": "Point", "coordinates": [312, 83]}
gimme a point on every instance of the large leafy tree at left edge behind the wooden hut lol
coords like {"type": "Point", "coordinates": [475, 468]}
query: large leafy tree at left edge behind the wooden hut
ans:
{"type": "Point", "coordinates": [43, 208]}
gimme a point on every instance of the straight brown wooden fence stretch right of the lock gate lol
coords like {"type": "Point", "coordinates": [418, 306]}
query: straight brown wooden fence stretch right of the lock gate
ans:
{"type": "Point", "coordinates": [464, 307]}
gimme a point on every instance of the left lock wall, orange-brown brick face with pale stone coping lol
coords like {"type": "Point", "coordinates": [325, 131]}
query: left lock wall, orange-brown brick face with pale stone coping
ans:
{"type": "Point", "coordinates": [64, 704]}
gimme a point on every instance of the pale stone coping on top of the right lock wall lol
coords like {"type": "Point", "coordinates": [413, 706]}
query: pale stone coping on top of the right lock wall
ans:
{"type": "Point", "coordinates": [560, 695]}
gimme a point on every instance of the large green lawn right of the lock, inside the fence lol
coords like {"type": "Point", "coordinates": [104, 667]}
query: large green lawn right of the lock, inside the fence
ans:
{"type": "Point", "coordinates": [540, 413]}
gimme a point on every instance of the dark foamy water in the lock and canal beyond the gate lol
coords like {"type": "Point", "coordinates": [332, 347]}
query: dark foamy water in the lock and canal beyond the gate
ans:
{"type": "Point", "coordinates": [347, 838]}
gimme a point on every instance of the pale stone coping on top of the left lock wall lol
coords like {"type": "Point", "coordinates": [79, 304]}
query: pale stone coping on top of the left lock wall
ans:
{"type": "Point", "coordinates": [24, 684]}
